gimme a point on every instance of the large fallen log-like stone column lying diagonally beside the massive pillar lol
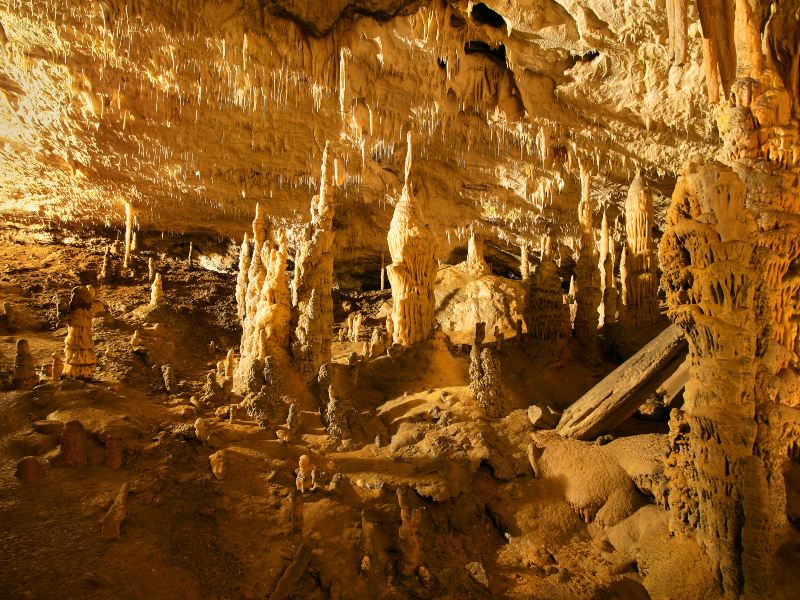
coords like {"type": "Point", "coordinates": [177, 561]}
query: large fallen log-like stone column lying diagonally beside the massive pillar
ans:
{"type": "Point", "coordinates": [616, 398]}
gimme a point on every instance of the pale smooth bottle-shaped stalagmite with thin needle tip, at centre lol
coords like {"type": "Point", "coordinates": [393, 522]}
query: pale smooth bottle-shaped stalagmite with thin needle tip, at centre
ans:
{"type": "Point", "coordinates": [412, 273]}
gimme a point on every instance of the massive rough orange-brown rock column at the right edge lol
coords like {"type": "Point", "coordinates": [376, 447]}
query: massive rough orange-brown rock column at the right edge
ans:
{"type": "Point", "coordinates": [728, 256]}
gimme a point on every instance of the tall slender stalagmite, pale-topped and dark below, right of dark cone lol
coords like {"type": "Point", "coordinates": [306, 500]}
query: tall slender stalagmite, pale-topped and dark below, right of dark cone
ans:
{"type": "Point", "coordinates": [587, 279]}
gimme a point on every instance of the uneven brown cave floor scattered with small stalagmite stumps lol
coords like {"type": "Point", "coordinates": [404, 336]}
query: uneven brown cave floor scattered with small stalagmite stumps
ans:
{"type": "Point", "coordinates": [188, 534]}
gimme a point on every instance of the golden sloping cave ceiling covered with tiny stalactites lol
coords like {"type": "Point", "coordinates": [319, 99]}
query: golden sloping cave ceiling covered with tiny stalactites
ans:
{"type": "Point", "coordinates": [193, 111]}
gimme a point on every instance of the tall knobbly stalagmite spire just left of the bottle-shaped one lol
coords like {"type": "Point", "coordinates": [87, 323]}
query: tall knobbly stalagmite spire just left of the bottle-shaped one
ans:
{"type": "Point", "coordinates": [313, 280]}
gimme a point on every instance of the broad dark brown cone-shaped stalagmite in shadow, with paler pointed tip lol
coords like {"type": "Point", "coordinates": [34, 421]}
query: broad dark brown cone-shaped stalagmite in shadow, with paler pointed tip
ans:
{"type": "Point", "coordinates": [546, 314]}
